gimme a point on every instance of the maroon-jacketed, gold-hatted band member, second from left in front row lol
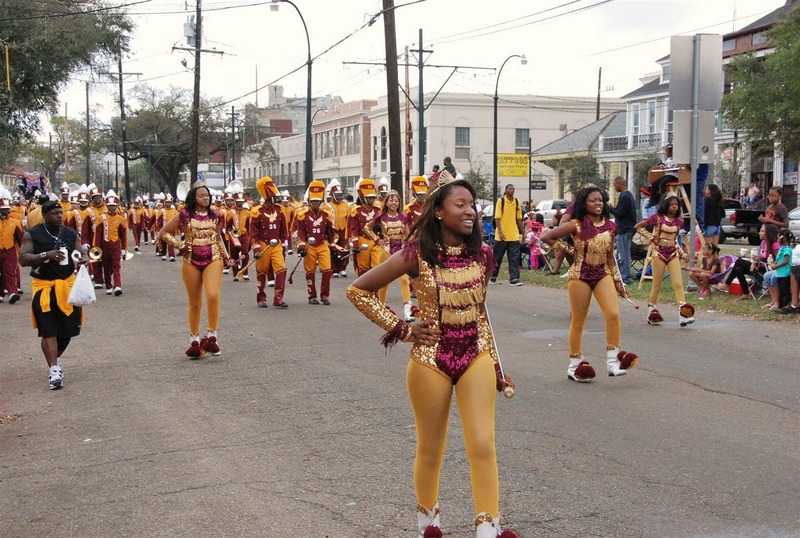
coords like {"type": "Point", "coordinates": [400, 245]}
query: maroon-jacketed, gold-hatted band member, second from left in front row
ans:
{"type": "Point", "coordinates": [314, 237]}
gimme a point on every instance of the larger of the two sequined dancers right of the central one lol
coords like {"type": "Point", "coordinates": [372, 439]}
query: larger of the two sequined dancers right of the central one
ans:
{"type": "Point", "coordinates": [593, 273]}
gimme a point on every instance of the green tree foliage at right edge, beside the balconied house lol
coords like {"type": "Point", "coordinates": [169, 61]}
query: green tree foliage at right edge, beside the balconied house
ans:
{"type": "Point", "coordinates": [765, 95]}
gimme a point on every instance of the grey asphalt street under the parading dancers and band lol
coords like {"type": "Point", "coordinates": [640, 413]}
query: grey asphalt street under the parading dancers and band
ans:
{"type": "Point", "coordinates": [303, 427]}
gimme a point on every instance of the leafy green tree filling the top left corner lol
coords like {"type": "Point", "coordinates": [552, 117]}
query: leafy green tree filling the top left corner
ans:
{"type": "Point", "coordinates": [47, 43]}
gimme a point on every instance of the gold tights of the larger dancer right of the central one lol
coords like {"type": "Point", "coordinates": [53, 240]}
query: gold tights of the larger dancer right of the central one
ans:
{"type": "Point", "coordinates": [580, 296]}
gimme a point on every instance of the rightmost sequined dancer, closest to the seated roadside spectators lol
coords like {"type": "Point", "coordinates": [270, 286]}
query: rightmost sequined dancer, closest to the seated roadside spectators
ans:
{"type": "Point", "coordinates": [667, 223]}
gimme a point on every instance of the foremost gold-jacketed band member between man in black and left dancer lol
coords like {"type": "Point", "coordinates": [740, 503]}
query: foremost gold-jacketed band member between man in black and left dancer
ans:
{"type": "Point", "coordinates": [111, 236]}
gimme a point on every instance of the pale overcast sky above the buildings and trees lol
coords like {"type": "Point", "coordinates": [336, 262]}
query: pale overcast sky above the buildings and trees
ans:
{"type": "Point", "coordinates": [565, 42]}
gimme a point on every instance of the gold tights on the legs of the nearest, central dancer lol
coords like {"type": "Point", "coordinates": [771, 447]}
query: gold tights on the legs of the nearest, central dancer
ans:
{"type": "Point", "coordinates": [431, 393]}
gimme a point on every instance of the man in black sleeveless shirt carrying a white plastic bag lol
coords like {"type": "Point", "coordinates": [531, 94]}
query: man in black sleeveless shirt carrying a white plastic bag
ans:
{"type": "Point", "coordinates": [48, 248]}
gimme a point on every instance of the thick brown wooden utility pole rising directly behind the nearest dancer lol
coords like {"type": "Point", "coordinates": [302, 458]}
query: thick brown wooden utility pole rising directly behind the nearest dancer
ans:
{"type": "Point", "coordinates": [393, 98]}
